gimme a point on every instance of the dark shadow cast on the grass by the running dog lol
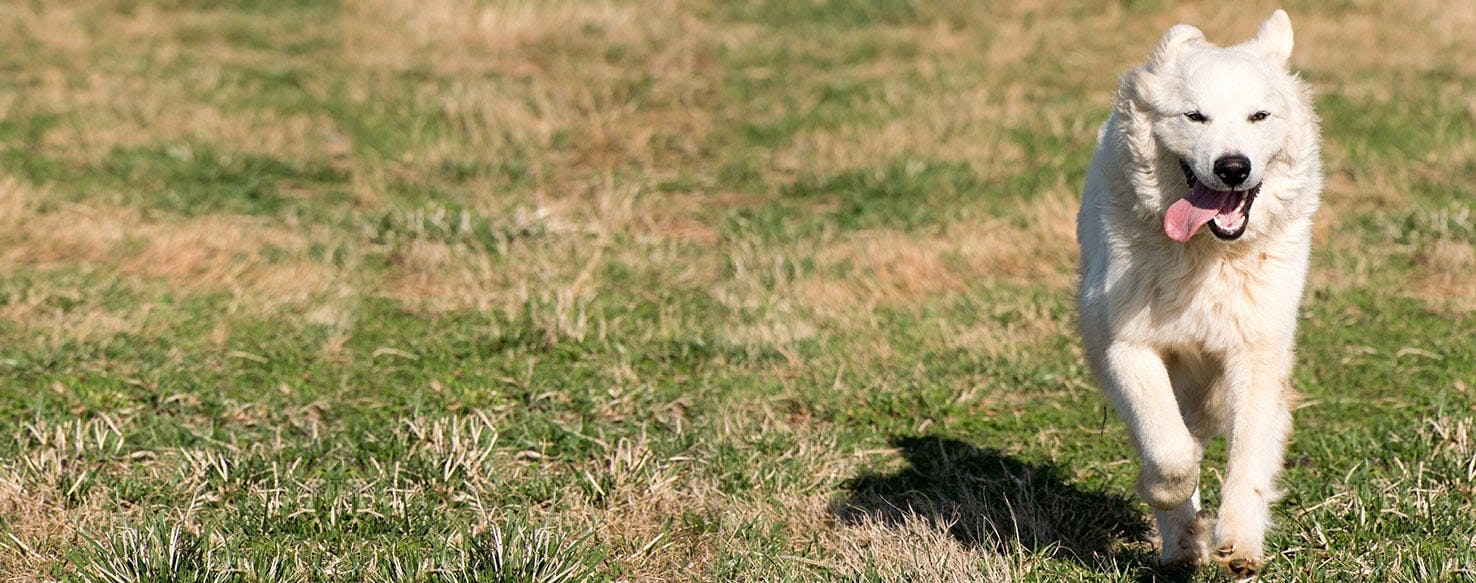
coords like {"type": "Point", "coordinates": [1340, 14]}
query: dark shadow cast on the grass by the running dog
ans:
{"type": "Point", "coordinates": [990, 500]}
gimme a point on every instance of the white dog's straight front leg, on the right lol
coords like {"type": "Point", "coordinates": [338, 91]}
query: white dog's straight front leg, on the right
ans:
{"type": "Point", "coordinates": [1260, 424]}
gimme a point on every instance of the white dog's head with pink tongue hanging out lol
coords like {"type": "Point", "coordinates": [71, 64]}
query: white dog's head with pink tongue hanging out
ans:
{"type": "Point", "coordinates": [1232, 125]}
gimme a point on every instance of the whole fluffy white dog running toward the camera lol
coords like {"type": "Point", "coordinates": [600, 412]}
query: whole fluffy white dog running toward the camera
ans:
{"type": "Point", "coordinates": [1187, 330]}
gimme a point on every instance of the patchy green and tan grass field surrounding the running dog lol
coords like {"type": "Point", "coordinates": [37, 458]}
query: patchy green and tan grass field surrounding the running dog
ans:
{"type": "Point", "coordinates": [666, 291]}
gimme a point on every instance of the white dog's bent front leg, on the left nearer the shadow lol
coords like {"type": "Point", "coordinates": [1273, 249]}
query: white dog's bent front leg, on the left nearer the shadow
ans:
{"type": "Point", "coordinates": [1137, 383]}
